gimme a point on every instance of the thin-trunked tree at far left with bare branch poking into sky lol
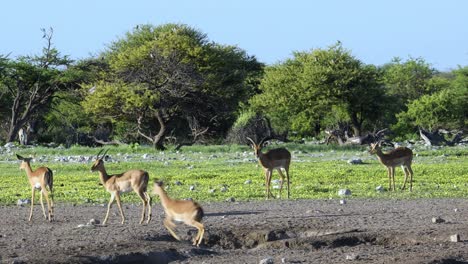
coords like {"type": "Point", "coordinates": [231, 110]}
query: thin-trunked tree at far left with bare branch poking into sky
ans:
{"type": "Point", "coordinates": [30, 83]}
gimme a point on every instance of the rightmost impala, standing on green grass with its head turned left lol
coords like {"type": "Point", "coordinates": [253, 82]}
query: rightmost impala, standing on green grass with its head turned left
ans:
{"type": "Point", "coordinates": [397, 157]}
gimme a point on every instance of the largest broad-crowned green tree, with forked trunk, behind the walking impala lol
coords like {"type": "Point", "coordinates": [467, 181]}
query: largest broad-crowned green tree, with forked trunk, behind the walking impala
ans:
{"type": "Point", "coordinates": [176, 78]}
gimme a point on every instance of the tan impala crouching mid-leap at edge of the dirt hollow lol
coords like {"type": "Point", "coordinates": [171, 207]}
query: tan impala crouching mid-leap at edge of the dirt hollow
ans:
{"type": "Point", "coordinates": [189, 212]}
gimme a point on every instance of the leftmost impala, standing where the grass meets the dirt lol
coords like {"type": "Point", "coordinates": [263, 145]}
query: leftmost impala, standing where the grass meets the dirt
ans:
{"type": "Point", "coordinates": [41, 179]}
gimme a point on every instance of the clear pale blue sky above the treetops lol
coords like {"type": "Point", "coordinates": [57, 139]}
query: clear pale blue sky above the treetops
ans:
{"type": "Point", "coordinates": [374, 31]}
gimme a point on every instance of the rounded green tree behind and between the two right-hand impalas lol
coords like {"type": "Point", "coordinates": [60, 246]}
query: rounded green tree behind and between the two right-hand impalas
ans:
{"type": "Point", "coordinates": [300, 93]}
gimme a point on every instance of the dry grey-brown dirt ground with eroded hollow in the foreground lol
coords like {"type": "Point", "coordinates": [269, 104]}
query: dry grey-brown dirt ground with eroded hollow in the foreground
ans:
{"type": "Point", "coordinates": [302, 231]}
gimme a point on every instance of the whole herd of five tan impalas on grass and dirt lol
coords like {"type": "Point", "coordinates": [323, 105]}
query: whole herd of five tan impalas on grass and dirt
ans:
{"type": "Point", "coordinates": [187, 211]}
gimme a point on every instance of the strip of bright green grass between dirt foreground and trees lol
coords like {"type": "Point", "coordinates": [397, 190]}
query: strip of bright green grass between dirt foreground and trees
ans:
{"type": "Point", "coordinates": [317, 172]}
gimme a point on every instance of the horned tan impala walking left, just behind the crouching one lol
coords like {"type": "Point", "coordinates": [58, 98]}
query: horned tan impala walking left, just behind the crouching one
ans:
{"type": "Point", "coordinates": [136, 180]}
